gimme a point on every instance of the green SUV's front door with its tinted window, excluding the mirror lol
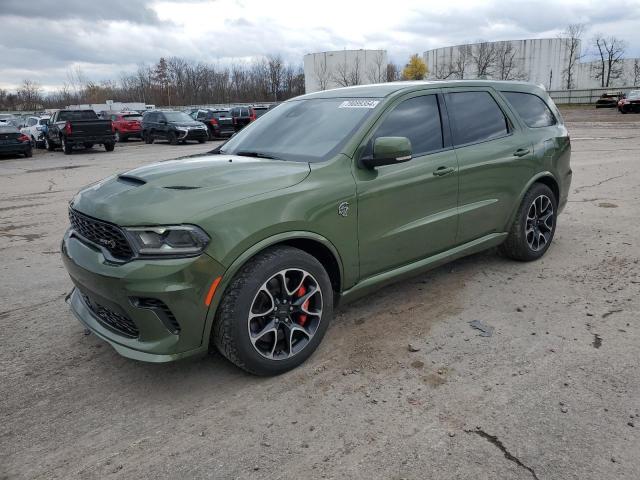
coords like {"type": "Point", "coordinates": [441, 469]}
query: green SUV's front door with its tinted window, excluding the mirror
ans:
{"type": "Point", "coordinates": [408, 211]}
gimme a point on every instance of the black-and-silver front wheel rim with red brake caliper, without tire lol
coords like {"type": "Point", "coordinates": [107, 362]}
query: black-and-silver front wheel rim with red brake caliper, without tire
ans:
{"type": "Point", "coordinates": [285, 314]}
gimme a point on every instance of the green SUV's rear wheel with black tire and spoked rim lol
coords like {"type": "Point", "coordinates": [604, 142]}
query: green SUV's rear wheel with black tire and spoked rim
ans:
{"type": "Point", "coordinates": [532, 230]}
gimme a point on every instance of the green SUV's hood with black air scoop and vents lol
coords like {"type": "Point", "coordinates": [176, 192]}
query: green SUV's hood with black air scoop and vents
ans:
{"type": "Point", "coordinates": [184, 190]}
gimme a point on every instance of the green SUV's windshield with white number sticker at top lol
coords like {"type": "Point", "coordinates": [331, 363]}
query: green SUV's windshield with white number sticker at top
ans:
{"type": "Point", "coordinates": [303, 130]}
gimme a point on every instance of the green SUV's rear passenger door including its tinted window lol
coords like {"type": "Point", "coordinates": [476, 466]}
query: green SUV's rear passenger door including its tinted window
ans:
{"type": "Point", "coordinates": [495, 158]}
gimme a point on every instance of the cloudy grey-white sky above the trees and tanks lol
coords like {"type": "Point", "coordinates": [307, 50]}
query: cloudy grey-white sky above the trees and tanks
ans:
{"type": "Point", "coordinates": [105, 38]}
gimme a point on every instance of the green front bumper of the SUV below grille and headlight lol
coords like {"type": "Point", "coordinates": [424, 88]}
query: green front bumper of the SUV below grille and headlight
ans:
{"type": "Point", "coordinates": [180, 284]}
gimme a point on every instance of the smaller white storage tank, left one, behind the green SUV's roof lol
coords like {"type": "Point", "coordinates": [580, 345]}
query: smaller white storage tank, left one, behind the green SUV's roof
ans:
{"type": "Point", "coordinates": [325, 70]}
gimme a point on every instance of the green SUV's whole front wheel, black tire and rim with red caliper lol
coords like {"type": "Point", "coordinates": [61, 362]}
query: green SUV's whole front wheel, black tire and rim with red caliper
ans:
{"type": "Point", "coordinates": [232, 324]}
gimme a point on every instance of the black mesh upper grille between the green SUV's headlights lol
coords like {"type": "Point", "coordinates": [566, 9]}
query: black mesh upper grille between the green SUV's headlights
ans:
{"type": "Point", "coordinates": [101, 233]}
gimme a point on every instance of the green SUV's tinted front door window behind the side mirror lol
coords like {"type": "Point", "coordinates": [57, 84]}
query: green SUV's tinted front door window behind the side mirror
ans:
{"type": "Point", "coordinates": [418, 119]}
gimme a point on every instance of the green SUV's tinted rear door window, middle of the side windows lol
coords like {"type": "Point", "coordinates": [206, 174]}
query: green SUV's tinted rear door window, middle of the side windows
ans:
{"type": "Point", "coordinates": [476, 117]}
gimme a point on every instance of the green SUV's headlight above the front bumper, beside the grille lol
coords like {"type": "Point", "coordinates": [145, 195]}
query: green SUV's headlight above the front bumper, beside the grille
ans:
{"type": "Point", "coordinates": [181, 240]}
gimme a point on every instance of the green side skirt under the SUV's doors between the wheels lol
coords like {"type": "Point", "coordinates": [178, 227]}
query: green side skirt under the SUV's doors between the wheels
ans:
{"type": "Point", "coordinates": [370, 284]}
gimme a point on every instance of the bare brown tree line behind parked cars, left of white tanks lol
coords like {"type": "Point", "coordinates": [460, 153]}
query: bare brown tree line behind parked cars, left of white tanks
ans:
{"type": "Point", "coordinates": [171, 81]}
